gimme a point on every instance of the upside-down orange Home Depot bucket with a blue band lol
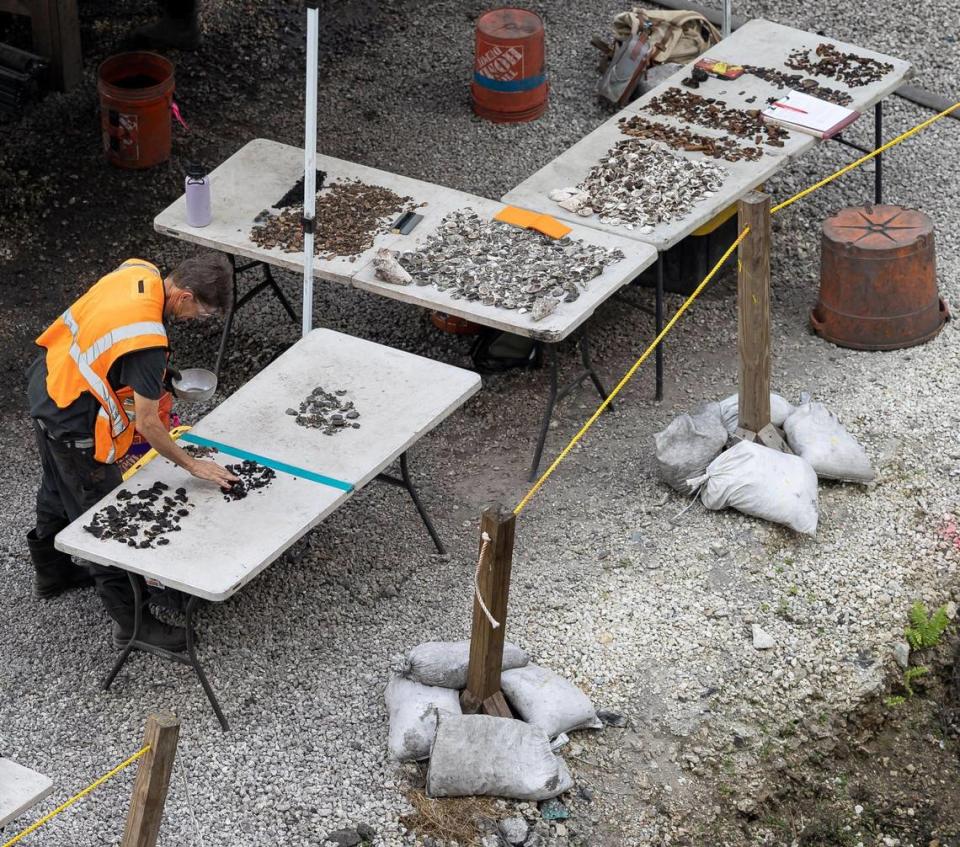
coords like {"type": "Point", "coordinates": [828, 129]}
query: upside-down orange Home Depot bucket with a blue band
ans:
{"type": "Point", "coordinates": [509, 71]}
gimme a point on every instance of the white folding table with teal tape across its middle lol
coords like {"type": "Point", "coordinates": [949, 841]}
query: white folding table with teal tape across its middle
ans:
{"type": "Point", "coordinates": [223, 544]}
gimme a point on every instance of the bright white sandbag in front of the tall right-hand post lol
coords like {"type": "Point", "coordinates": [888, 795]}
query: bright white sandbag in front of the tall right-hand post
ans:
{"type": "Point", "coordinates": [765, 483]}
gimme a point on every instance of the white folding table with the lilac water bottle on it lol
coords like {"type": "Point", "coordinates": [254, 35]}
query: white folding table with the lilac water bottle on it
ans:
{"type": "Point", "coordinates": [259, 174]}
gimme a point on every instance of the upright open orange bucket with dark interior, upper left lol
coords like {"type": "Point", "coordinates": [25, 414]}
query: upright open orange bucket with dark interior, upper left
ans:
{"type": "Point", "coordinates": [136, 92]}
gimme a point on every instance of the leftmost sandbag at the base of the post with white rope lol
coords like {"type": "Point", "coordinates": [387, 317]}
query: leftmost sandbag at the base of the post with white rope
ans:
{"type": "Point", "coordinates": [413, 710]}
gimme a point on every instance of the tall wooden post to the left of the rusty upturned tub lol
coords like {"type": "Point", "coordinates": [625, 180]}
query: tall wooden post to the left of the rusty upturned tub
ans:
{"type": "Point", "coordinates": [753, 307]}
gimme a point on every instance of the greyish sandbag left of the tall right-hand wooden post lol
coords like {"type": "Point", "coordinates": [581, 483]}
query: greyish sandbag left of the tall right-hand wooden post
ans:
{"type": "Point", "coordinates": [689, 444]}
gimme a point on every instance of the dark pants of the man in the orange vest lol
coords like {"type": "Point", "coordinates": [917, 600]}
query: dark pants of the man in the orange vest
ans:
{"type": "Point", "coordinates": [72, 482]}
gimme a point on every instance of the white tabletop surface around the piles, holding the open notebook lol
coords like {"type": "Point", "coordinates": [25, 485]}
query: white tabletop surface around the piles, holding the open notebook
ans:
{"type": "Point", "coordinates": [759, 42]}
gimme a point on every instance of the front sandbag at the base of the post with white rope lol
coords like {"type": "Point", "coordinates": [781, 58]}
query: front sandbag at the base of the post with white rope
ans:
{"type": "Point", "coordinates": [483, 755]}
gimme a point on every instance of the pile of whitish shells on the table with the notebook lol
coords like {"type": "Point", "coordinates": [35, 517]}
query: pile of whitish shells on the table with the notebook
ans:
{"type": "Point", "coordinates": [639, 185]}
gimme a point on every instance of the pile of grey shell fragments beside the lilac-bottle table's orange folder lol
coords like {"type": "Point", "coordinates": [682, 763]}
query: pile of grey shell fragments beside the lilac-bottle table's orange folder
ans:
{"type": "Point", "coordinates": [502, 265]}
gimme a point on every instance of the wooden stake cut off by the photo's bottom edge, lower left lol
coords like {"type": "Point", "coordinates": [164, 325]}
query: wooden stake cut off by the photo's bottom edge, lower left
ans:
{"type": "Point", "coordinates": [153, 778]}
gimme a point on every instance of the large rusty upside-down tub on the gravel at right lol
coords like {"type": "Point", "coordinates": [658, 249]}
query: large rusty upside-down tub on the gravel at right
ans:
{"type": "Point", "coordinates": [878, 279]}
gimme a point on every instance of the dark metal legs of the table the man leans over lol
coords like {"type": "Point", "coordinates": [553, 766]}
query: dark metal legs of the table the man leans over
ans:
{"type": "Point", "coordinates": [190, 657]}
